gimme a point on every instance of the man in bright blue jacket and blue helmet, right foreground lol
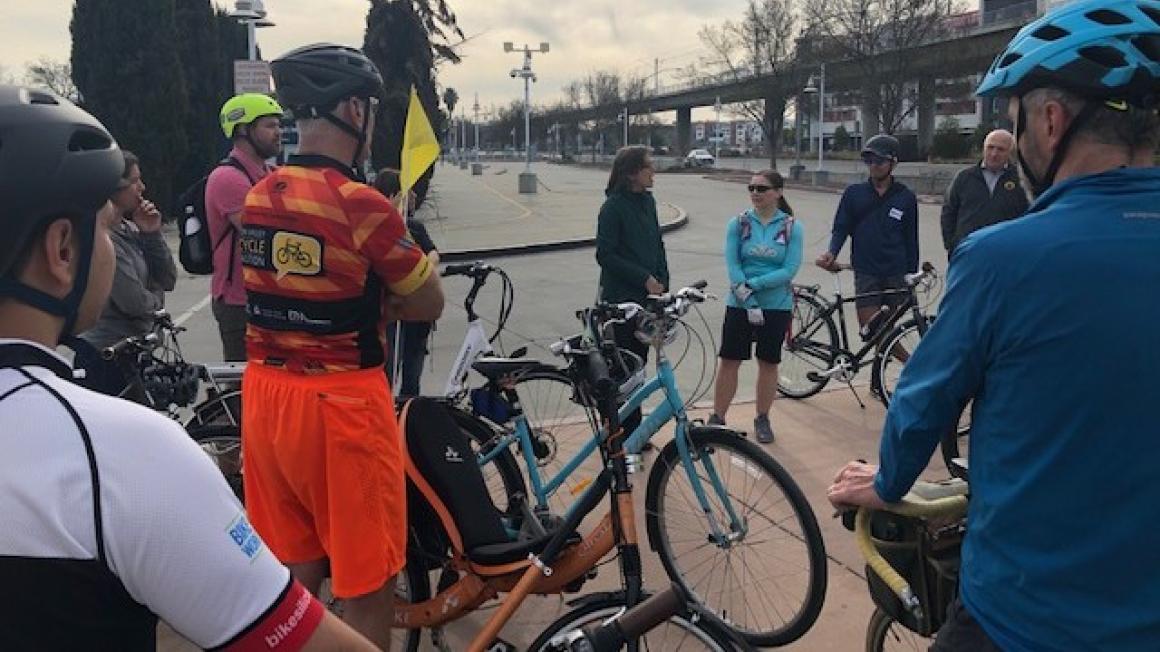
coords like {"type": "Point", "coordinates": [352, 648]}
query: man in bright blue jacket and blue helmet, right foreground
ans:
{"type": "Point", "coordinates": [1049, 324]}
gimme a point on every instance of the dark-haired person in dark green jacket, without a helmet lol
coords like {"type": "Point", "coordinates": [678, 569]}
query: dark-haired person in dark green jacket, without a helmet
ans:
{"type": "Point", "coordinates": [629, 249]}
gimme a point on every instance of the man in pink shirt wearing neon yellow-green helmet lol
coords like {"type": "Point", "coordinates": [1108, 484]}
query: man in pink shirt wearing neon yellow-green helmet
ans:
{"type": "Point", "coordinates": [252, 121]}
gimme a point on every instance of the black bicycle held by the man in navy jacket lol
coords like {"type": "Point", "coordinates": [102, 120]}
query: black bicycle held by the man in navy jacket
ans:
{"type": "Point", "coordinates": [818, 350]}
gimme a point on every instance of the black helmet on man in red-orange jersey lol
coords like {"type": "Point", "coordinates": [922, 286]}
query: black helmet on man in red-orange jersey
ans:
{"type": "Point", "coordinates": [323, 75]}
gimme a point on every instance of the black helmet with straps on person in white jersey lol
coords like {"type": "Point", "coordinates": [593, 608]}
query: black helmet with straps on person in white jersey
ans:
{"type": "Point", "coordinates": [56, 161]}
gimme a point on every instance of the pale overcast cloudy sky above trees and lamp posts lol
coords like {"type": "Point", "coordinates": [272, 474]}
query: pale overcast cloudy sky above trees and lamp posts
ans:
{"type": "Point", "coordinates": [585, 35]}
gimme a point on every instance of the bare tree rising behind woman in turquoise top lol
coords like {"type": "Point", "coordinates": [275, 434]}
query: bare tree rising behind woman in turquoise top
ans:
{"type": "Point", "coordinates": [759, 45]}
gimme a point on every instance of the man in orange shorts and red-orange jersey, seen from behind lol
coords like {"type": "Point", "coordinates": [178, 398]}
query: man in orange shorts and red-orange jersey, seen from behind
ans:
{"type": "Point", "coordinates": [327, 262]}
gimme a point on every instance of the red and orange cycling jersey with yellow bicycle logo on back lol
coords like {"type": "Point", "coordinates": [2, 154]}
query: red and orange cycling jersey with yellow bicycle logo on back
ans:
{"type": "Point", "coordinates": [318, 251]}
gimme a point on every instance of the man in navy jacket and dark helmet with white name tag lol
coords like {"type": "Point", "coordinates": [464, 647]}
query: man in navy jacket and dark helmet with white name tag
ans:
{"type": "Point", "coordinates": [881, 216]}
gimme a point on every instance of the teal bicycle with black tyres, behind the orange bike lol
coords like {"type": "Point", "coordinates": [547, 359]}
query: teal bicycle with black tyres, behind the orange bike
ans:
{"type": "Point", "coordinates": [729, 523]}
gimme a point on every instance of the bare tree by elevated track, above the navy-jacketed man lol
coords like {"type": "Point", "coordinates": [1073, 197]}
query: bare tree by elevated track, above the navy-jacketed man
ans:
{"type": "Point", "coordinates": [878, 37]}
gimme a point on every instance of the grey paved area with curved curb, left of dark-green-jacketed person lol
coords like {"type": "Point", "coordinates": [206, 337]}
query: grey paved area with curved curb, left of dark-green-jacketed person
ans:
{"type": "Point", "coordinates": [485, 216]}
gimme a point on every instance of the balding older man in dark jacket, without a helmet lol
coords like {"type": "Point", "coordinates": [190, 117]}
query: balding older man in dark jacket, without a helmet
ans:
{"type": "Point", "coordinates": [983, 194]}
